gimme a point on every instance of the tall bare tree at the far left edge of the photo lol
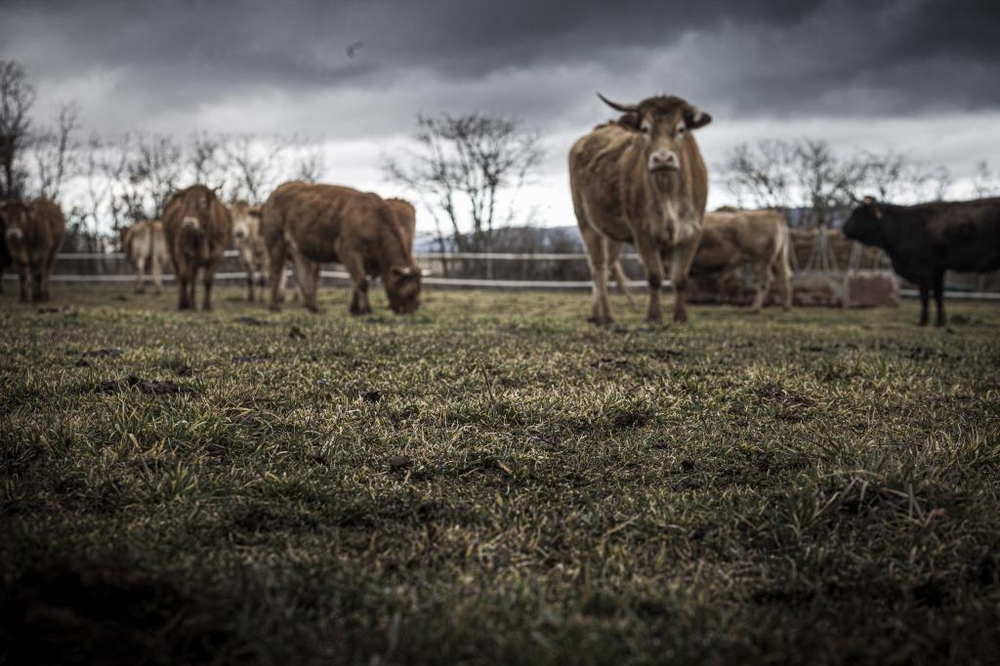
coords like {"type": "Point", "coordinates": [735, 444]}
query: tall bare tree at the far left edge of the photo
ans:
{"type": "Point", "coordinates": [16, 99]}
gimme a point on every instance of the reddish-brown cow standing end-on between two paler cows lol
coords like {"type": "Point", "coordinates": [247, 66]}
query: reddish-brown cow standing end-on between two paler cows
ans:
{"type": "Point", "coordinates": [198, 228]}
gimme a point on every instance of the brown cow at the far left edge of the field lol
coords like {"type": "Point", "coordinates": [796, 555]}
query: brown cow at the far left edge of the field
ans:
{"type": "Point", "coordinates": [33, 233]}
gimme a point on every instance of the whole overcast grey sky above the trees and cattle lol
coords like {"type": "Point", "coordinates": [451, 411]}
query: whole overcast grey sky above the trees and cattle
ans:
{"type": "Point", "coordinates": [920, 77]}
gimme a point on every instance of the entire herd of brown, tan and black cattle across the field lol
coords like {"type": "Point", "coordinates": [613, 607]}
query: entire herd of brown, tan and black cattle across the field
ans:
{"type": "Point", "coordinates": [640, 180]}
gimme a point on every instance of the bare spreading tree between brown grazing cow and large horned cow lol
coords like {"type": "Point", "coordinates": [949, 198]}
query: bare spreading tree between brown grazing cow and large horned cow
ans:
{"type": "Point", "coordinates": [464, 166]}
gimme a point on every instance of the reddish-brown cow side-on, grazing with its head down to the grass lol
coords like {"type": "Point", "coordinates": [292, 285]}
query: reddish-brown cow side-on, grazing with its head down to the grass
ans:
{"type": "Point", "coordinates": [317, 223]}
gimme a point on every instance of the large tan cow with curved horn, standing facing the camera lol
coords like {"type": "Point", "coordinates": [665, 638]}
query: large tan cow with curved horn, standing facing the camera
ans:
{"type": "Point", "coordinates": [647, 187]}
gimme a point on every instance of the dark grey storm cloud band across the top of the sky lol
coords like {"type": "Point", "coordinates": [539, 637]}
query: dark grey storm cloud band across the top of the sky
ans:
{"type": "Point", "coordinates": [747, 59]}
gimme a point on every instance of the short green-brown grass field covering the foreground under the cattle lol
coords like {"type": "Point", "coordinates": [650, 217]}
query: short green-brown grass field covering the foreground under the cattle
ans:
{"type": "Point", "coordinates": [495, 480]}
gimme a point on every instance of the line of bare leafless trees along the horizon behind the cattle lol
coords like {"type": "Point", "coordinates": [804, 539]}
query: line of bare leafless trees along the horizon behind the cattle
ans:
{"type": "Point", "coordinates": [467, 170]}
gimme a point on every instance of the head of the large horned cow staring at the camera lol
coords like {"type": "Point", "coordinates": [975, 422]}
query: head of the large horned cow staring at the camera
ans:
{"type": "Point", "coordinates": [664, 122]}
